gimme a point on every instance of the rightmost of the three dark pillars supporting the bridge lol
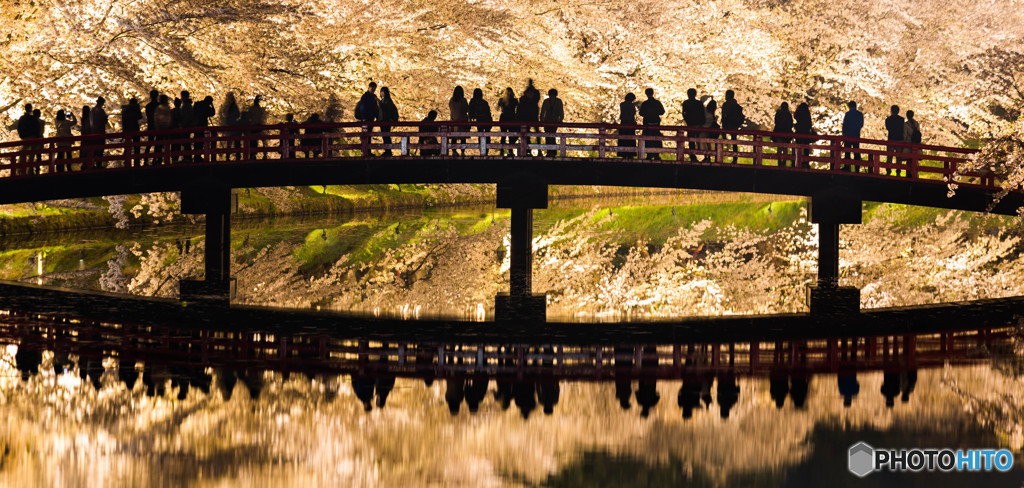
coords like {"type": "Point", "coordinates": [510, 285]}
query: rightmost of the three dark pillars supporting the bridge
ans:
{"type": "Point", "coordinates": [830, 210]}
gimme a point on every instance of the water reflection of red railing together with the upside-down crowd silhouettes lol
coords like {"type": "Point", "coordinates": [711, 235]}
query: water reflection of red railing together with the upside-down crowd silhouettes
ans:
{"type": "Point", "coordinates": [527, 374]}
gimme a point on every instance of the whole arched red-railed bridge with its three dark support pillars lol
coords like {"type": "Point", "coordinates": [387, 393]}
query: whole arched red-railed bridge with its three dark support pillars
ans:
{"type": "Point", "coordinates": [206, 164]}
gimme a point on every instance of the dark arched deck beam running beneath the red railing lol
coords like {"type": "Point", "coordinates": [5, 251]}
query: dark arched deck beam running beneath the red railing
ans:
{"type": "Point", "coordinates": [741, 179]}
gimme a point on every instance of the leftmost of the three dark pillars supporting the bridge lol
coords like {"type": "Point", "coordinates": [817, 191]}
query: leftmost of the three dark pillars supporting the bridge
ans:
{"type": "Point", "coordinates": [217, 204]}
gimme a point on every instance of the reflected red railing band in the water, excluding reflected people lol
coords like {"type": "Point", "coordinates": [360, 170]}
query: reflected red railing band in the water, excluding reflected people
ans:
{"type": "Point", "coordinates": [323, 352]}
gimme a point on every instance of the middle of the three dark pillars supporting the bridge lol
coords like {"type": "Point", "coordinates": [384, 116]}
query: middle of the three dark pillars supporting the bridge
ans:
{"type": "Point", "coordinates": [522, 196]}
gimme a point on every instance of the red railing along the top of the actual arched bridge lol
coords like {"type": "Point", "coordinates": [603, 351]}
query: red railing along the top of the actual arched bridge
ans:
{"type": "Point", "coordinates": [672, 145]}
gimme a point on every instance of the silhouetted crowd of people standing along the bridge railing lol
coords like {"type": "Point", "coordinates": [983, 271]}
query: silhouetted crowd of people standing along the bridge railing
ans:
{"type": "Point", "coordinates": [530, 113]}
